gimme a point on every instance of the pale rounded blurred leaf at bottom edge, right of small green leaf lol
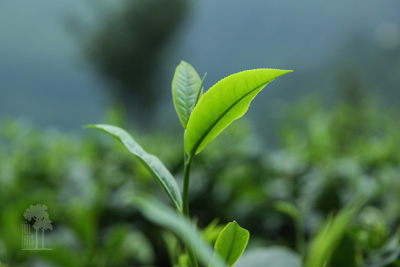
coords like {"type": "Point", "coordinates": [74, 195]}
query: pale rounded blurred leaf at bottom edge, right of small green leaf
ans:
{"type": "Point", "coordinates": [269, 257]}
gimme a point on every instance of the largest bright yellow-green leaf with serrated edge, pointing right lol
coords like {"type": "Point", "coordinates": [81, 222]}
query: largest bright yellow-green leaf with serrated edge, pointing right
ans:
{"type": "Point", "coordinates": [226, 101]}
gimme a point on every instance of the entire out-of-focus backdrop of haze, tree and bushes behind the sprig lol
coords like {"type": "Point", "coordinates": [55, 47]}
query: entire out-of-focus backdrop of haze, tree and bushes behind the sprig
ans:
{"type": "Point", "coordinates": [315, 139]}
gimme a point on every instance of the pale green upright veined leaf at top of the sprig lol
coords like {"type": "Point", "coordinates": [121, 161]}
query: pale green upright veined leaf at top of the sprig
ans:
{"type": "Point", "coordinates": [187, 88]}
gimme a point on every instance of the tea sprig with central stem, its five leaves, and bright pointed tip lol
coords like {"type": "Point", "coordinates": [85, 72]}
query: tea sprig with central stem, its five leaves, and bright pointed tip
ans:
{"type": "Point", "coordinates": [203, 117]}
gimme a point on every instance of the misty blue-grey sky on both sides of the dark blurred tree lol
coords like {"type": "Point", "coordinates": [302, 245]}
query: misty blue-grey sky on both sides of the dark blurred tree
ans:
{"type": "Point", "coordinates": [44, 77]}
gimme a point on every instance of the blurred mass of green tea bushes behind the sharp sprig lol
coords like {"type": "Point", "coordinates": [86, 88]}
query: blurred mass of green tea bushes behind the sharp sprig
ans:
{"type": "Point", "coordinates": [324, 159]}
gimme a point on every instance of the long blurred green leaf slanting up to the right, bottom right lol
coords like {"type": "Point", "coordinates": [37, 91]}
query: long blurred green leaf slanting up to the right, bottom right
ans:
{"type": "Point", "coordinates": [326, 241]}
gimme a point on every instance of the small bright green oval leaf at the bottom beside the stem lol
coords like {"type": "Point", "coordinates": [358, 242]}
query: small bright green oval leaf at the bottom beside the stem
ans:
{"type": "Point", "coordinates": [231, 243]}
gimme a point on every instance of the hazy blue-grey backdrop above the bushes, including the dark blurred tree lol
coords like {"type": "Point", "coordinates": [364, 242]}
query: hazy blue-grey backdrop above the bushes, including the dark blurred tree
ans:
{"type": "Point", "coordinates": [59, 68]}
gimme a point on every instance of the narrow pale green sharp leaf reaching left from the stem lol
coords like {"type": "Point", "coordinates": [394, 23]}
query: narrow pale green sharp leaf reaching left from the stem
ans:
{"type": "Point", "coordinates": [152, 163]}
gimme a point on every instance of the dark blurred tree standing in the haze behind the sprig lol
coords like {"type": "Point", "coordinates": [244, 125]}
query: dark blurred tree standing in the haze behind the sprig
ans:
{"type": "Point", "coordinates": [127, 45]}
